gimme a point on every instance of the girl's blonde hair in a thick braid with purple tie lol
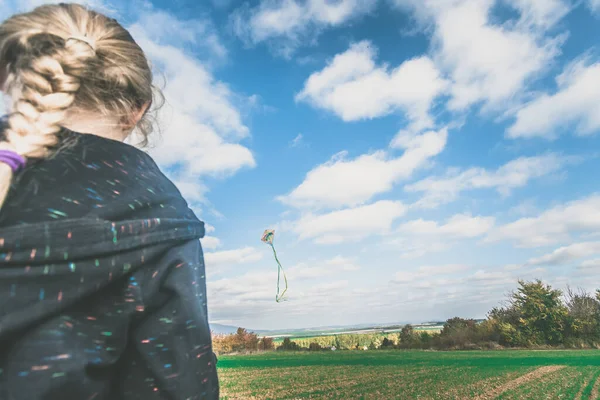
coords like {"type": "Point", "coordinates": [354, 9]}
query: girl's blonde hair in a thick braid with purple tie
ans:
{"type": "Point", "coordinates": [65, 57]}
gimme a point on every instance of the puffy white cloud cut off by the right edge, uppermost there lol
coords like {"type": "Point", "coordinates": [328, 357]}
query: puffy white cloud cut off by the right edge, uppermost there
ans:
{"type": "Point", "coordinates": [576, 104]}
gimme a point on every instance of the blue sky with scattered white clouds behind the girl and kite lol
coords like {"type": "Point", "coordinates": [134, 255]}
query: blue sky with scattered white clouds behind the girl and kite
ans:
{"type": "Point", "coordinates": [416, 158]}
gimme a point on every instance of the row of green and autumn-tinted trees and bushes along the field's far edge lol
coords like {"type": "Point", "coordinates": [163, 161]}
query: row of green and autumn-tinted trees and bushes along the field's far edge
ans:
{"type": "Point", "coordinates": [535, 315]}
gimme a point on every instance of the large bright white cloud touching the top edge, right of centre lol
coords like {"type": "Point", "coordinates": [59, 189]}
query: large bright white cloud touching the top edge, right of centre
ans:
{"type": "Point", "coordinates": [488, 62]}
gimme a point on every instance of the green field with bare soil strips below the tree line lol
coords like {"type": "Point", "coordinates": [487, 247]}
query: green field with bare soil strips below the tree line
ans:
{"type": "Point", "coordinates": [412, 375]}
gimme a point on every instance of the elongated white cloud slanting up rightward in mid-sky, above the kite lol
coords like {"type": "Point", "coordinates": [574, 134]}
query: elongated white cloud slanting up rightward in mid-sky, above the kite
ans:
{"type": "Point", "coordinates": [342, 182]}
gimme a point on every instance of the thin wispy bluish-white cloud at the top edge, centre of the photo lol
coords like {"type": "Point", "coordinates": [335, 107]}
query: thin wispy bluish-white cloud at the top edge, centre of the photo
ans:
{"type": "Point", "coordinates": [288, 24]}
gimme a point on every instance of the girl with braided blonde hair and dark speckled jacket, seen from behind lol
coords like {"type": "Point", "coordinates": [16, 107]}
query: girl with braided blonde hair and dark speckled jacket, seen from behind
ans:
{"type": "Point", "coordinates": [102, 288]}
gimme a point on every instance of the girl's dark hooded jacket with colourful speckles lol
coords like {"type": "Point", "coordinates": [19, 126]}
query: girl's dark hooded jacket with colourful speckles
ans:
{"type": "Point", "coordinates": [102, 285]}
